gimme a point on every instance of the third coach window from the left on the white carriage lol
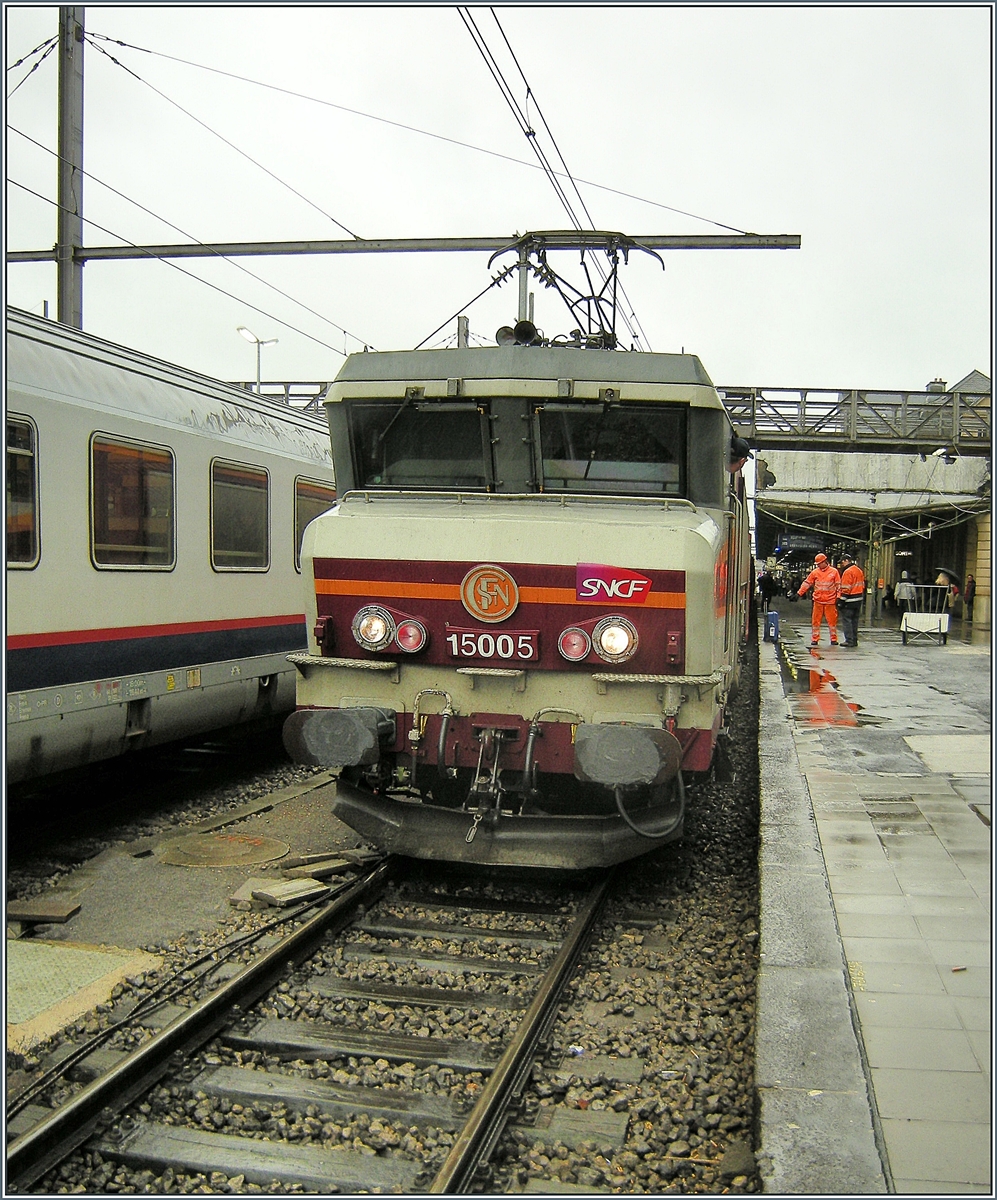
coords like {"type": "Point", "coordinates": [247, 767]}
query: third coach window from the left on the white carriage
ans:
{"type": "Point", "coordinates": [241, 518]}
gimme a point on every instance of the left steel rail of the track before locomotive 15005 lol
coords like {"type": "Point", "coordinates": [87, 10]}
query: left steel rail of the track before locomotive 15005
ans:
{"type": "Point", "coordinates": [47, 1144]}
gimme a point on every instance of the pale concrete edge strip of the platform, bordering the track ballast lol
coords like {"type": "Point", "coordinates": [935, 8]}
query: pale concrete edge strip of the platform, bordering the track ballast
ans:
{"type": "Point", "coordinates": [818, 1129]}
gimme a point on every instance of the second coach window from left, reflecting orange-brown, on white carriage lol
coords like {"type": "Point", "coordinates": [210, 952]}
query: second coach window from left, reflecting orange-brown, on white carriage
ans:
{"type": "Point", "coordinates": [131, 505]}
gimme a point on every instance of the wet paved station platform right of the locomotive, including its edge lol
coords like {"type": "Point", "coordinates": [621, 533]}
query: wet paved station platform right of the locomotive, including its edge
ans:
{"type": "Point", "coordinates": [874, 1036]}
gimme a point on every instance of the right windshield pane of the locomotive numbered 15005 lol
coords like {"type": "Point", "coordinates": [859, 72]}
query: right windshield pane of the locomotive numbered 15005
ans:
{"type": "Point", "coordinates": [614, 448]}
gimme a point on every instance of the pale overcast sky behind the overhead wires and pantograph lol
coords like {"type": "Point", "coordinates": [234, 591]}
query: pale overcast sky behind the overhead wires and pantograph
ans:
{"type": "Point", "coordinates": [866, 130]}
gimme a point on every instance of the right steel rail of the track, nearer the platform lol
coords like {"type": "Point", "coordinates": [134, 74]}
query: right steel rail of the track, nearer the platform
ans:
{"type": "Point", "coordinates": [484, 1125]}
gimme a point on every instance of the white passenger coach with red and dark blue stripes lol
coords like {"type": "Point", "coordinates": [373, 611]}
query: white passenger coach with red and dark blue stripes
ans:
{"type": "Point", "coordinates": [154, 530]}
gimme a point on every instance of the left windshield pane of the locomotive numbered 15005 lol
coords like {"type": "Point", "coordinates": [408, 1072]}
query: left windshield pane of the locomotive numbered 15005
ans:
{"type": "Point", "coordinates": [419, 446]}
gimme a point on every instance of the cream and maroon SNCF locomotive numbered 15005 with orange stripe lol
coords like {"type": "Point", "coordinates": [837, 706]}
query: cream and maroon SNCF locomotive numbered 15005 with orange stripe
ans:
{"type": "Point", "coordinates": [528, 603]}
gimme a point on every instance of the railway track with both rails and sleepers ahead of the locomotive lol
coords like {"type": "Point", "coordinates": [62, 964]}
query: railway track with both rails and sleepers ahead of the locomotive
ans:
{"type": "Point", "coordinates": [460, 958]}
